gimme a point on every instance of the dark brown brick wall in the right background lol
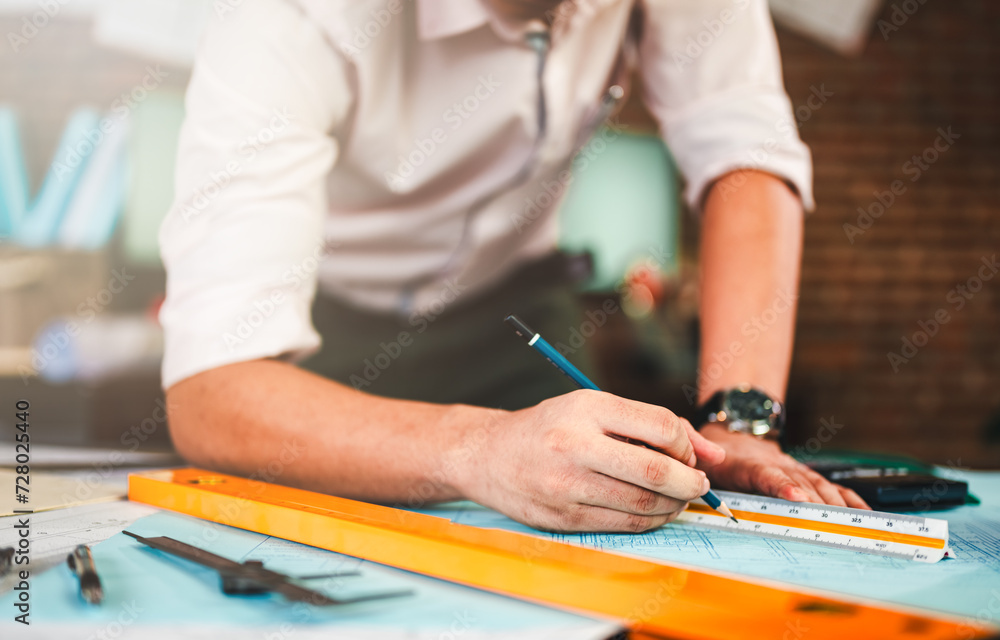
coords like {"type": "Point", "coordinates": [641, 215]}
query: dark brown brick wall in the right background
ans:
{"type": "Point", "coordinates": [939, 71]}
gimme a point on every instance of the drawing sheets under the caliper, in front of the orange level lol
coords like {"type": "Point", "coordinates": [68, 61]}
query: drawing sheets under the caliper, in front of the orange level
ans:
{"type": "Point", "coordinates": [160, 596]}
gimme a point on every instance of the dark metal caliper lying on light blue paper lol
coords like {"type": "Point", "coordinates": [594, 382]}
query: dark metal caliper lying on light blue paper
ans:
{"type": "Point", "coordinates": [251, 578]}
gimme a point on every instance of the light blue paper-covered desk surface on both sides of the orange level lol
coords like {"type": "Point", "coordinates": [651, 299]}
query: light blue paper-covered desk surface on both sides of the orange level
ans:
{"type": "Point", "coordinates": [173, 596]}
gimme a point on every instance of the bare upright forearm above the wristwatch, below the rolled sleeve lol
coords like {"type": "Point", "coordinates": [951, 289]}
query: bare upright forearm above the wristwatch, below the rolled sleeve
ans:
{"type": "Point", "coordinates": [750, 253]}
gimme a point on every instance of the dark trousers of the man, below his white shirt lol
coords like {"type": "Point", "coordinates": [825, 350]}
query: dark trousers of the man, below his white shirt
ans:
{"type": "Point", "coordinates": [466, 354]}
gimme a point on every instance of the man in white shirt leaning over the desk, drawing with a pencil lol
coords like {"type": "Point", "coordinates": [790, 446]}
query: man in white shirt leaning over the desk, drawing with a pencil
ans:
{"type": "Point", "coordinates": [387, 152]}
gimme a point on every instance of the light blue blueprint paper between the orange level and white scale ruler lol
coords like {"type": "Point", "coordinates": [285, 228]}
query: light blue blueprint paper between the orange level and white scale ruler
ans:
{"type": "Point", "coordinates": [968, 585]}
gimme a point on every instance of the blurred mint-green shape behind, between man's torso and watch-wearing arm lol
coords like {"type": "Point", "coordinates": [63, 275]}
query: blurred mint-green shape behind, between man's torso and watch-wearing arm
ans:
{"type": "Point", "coordinates": [623, 206]}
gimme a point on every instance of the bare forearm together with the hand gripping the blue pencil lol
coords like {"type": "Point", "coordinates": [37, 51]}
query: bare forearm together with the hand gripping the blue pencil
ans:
{"type": "Point", "coordinates": [551, 466]}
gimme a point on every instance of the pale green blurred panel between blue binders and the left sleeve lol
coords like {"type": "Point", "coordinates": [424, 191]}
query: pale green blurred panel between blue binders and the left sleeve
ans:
{"type": "Point", "coordinates": [156, 124]}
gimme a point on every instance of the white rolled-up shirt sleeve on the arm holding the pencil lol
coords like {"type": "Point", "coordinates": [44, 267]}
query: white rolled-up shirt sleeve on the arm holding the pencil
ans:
{"type": "Point", "coordinates": [243, 239]}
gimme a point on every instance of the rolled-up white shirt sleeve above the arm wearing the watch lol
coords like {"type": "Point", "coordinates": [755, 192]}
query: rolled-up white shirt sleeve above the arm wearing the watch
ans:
{"type": "Point", "coordinates": [712, 78]}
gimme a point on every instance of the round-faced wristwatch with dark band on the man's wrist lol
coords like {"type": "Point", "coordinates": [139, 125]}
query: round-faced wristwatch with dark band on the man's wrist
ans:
{"type": "Point", "coordinates": [744, 409]}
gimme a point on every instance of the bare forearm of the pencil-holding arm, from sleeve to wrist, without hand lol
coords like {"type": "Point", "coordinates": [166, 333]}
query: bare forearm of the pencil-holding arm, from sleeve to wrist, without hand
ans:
{"type": "Point", "coordinates": [280, 423]}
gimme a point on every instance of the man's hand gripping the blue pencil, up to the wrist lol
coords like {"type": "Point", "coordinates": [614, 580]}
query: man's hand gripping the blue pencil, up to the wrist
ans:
{"type": "Point", "coordinates": [554, 466]}
